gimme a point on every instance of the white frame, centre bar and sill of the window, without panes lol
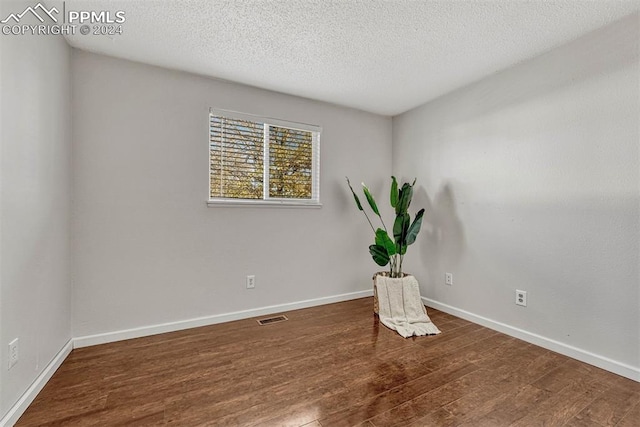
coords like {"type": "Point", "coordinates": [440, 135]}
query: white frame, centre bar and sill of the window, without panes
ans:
{"type": "Point", "coordinates": [266, 200]}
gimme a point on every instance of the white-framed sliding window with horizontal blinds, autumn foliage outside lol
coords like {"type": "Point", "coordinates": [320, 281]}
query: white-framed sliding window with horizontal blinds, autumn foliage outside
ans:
{"type": "Point", "coordinates": [262, 161]}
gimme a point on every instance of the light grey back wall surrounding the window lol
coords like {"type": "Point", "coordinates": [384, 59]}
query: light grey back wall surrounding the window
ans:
{"type": "Point", "coordinates": [147, 249]}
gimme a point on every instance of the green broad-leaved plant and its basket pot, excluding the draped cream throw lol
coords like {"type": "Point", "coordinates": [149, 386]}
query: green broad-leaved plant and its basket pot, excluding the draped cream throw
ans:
{"type": "Point", "coordinates": [387, 250]}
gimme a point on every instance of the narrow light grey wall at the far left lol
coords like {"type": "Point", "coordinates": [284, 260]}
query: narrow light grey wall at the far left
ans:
{"type": "Point", "coordinates": [35, 171]}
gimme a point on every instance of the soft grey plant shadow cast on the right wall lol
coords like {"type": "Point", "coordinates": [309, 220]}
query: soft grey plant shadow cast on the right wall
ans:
{"type": "Point", "coordinates": [443, 241]}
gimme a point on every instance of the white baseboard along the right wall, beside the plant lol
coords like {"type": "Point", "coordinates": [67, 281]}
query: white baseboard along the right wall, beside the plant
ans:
{"type": "Point", "coordinates": [605, 363]}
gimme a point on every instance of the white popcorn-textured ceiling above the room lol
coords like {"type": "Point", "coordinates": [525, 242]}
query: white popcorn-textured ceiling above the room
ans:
{"type": "Point", "coordinates": [384, 57]}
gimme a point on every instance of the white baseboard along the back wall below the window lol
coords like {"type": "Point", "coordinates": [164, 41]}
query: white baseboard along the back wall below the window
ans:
{"type": "Point", "coordinates": [211, 320]}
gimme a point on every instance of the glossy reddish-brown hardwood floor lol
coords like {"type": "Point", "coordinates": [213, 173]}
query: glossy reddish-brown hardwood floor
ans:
{"type": "Point", "coordinates": [332, 365]}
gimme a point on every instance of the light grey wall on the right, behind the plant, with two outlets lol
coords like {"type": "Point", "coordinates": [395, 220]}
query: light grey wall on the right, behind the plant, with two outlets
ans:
{"type": "Point", "coordinates": [531, 178]}
